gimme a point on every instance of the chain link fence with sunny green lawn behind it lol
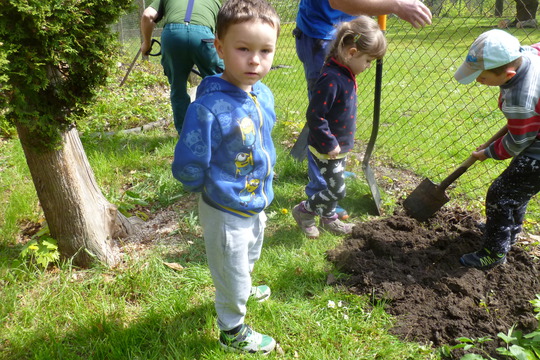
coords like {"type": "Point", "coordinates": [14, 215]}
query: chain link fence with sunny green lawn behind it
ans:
{"type": "Point", "coordinates": [429, 123]}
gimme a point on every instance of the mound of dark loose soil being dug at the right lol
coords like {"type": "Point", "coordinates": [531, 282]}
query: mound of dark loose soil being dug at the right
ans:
{"type": "Point", "coordinates": [414, 269]}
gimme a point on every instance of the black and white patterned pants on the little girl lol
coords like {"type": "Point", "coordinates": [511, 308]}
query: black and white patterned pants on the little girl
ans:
{"type": "Point", "coordinates": [324, 202]}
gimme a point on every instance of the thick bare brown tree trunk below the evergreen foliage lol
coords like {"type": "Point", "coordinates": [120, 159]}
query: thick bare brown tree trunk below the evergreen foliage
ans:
{"type": "Point", "coordinates": [80, 219]}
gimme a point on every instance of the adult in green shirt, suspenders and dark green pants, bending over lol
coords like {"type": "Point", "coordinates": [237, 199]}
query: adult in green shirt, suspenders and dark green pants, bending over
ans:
{"type": "Point", "coordinates": [187, 40]}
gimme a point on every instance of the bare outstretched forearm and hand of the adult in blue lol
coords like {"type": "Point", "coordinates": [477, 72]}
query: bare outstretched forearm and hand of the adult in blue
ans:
{"type": "Point", "coordinates": [412, 11]}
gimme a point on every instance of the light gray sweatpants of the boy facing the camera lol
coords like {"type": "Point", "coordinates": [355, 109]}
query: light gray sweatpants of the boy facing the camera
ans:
{"type": "Point", "coordinates": [233, 245]}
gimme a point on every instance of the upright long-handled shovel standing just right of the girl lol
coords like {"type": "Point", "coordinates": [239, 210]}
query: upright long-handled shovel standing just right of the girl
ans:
{"type": "Point", "coordinates": [368, 172]}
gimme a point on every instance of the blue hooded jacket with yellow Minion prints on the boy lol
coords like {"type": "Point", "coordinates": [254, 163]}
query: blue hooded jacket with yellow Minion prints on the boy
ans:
{"type": "Point", "coordinates": [225, 149]}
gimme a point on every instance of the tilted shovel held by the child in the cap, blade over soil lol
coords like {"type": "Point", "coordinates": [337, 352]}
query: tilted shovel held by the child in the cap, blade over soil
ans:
{"type": "Point", "coordinates": [428, 197]}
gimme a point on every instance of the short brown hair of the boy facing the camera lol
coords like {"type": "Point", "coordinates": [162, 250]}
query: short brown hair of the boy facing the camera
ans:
{"type": "Point", "coordinates": [240, 11]}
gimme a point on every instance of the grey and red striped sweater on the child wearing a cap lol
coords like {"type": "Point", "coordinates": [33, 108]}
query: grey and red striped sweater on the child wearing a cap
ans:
{"type": "Point", "coordinates": [519, 101]}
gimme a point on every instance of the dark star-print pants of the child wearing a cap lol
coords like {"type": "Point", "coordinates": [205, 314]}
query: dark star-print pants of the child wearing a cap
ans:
{"type": "Point", "coordinates": [507, 200]}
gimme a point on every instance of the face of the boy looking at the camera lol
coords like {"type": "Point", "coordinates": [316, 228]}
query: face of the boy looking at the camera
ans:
{"type": "Point", "coordinates": [248, 51]}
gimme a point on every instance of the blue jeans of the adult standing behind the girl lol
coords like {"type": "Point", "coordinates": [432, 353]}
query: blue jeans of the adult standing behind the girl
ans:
{"type": "Point", "coordinates": [311, 53]}
